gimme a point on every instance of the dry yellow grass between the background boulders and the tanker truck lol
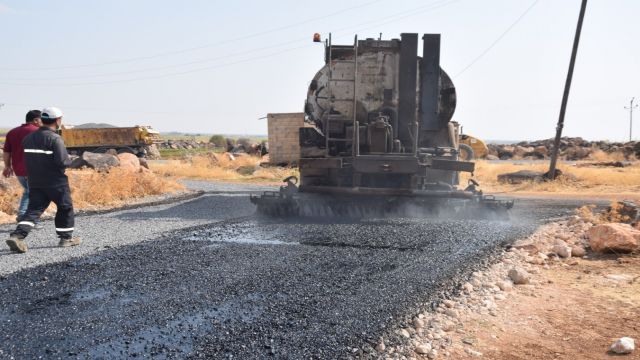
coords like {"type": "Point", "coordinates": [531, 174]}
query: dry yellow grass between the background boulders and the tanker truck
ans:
{"type": "Point", "coordinates": [222, 167]}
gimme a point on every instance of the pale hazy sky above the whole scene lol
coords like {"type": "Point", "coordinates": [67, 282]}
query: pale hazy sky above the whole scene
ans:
{"type": "Point", "coordinates": [218, 66]}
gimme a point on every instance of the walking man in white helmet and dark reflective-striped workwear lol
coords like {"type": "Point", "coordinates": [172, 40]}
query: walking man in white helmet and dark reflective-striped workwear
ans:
{"type": "Point", "coordinates": [46, 159]}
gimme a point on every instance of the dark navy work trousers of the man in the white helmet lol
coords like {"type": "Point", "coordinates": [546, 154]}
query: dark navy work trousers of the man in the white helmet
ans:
{"type": "Point", "coordinates": [39, 200]}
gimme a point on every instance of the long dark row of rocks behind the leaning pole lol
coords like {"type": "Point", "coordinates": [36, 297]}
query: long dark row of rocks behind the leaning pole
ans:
{"type": "Point", "coordinates": [570, 149]}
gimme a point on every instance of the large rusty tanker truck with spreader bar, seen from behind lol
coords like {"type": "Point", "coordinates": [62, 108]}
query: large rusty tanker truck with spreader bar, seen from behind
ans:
{"type": "Point", "coordinates": [382, 140]}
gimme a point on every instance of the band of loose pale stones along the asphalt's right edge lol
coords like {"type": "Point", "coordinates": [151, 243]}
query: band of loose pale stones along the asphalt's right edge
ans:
{"type": "Point", "coordinates": [435, 334]}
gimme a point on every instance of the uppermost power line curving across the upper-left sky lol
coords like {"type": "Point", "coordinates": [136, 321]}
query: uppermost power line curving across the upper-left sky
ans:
{"type": "Point", "coordinates": [167, 53]}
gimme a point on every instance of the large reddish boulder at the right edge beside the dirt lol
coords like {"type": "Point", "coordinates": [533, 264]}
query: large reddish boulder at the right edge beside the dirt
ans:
{"type": "Point", "coordinates": [614, 237]}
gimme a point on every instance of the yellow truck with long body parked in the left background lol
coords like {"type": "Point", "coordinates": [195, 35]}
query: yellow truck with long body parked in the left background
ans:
{"type": "Point", "coordinates": [138, 140]}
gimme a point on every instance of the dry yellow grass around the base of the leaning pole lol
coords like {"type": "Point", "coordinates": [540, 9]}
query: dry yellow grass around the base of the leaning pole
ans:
{"type": "Point", "coordinates": [577, 180]}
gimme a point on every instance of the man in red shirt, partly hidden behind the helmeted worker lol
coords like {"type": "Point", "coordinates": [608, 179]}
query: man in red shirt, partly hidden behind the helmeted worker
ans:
{"type": "Point", "coordinates": [13, 156]}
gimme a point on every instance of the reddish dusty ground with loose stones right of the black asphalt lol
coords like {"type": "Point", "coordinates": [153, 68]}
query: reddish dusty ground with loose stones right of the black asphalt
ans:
{"type": "Point", "coordinates": [572, 308]}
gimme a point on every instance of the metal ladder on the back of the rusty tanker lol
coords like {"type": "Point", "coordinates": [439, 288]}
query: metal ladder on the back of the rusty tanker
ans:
{"type": "Point", "coordinates": [355, 150]}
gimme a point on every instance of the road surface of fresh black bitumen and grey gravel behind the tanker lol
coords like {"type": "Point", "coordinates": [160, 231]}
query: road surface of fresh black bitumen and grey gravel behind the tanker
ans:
{"type": "Point", "coordinates": [206, 278]}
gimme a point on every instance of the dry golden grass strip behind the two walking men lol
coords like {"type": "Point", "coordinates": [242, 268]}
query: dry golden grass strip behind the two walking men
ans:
{"type": "Point", "coordinates": [90, 189]}
